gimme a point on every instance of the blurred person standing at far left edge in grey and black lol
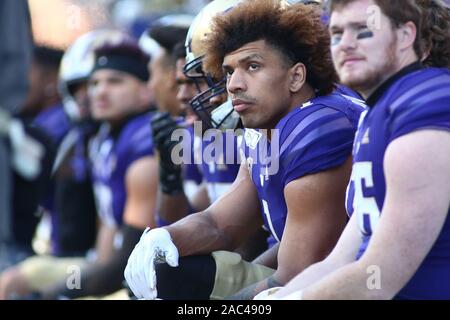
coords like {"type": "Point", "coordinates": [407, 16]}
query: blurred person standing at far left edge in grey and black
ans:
{"type": "Point", "coordinates": [23, 173]}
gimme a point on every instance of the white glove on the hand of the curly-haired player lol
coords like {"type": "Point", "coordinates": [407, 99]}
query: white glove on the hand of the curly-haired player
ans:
{"type": "Point", "coordinates": [155, 246]}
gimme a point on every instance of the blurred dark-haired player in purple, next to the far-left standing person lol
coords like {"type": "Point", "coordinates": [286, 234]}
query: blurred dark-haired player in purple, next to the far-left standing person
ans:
{"type": "Point", "coordinates": [43, 116]}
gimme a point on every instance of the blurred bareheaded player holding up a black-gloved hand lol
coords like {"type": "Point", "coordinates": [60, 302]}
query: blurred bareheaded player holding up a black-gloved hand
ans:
{"type": "Point", "coordinates": [165, 33]}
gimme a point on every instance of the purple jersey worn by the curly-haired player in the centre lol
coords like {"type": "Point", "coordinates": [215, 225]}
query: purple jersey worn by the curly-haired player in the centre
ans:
{"type": "Point", "coordinates": [314, 137]}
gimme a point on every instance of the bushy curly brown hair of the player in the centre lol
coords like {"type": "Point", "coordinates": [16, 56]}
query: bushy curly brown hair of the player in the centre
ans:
{"type": "Point", "coordinates": [296, 31]}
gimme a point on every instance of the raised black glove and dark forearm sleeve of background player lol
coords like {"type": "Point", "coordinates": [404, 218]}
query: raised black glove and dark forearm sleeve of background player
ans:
{"type": "Point", "coordinates": [170, 176]}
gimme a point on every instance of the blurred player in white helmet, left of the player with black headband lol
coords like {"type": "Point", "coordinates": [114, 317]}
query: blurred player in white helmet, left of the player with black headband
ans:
{"type": "Point", "coordinates": [74, 207]}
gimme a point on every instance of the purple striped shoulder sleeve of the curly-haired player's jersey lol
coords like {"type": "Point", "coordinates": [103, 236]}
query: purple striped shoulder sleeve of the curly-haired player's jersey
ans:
{"type": "Point", "coordinates": [318, 135]}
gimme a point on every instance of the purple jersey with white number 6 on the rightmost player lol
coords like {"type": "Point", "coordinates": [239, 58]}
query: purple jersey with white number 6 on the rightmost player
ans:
{"type": "Point", "coordinates": [412, 100]}
